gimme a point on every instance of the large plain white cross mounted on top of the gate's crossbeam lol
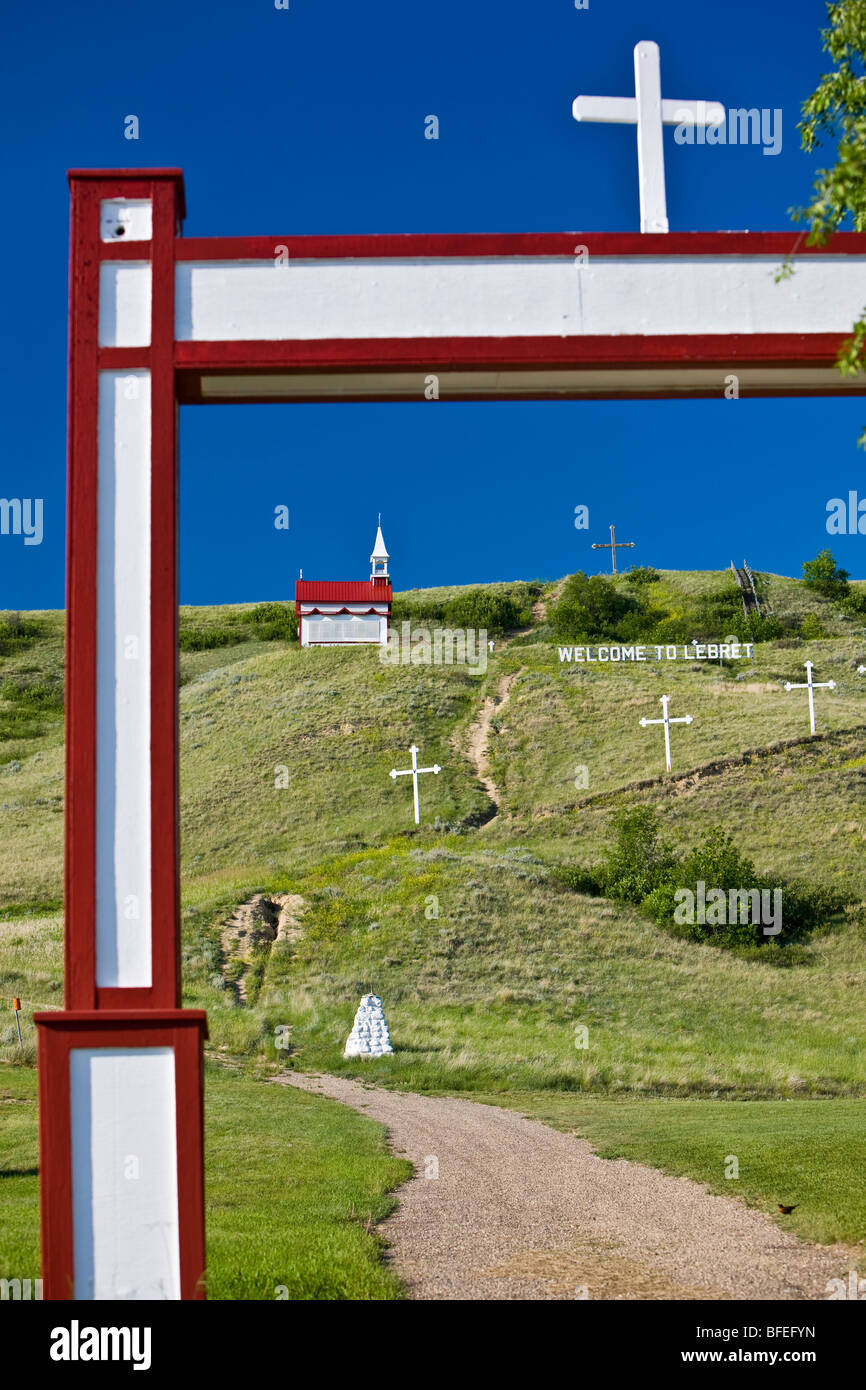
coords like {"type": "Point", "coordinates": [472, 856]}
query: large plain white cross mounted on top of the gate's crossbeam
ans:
{"type": "Point", "coordinates": [650, 113]}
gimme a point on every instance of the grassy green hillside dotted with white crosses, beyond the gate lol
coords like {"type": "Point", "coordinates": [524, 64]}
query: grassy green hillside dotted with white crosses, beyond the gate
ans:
{"type": "Point", "coordinates": [487, 961]}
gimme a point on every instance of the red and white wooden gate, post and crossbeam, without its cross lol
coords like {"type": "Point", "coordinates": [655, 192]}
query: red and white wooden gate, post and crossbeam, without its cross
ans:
{"type": "Point", "coordinates": [158, 320]}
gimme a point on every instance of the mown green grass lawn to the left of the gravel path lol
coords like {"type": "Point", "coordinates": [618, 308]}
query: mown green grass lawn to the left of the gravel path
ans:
{"type": "Point", "coordinates": [293, 1181]}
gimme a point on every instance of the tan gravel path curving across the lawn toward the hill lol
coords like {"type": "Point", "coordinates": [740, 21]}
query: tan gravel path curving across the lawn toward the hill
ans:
{"type": "Point", "coordinates": [521, 1211]}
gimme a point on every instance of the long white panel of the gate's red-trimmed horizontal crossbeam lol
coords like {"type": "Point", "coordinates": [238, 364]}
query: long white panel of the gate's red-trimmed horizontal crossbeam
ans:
{"type": "Point", "coordinates": [516, 297]}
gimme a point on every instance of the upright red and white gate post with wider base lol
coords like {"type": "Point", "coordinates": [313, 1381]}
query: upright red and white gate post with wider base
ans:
{"type": "Point", "coordinates": [123, 1013]}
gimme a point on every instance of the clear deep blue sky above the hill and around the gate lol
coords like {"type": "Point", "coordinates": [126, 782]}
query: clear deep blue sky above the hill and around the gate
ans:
{"type": "Point", "coordinates": [312, 120]}
